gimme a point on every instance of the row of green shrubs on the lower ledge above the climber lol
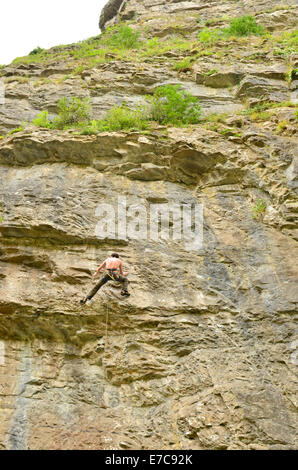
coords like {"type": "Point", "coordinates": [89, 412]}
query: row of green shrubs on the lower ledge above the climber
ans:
{"type": "Point", "coordinates": [170, 104]}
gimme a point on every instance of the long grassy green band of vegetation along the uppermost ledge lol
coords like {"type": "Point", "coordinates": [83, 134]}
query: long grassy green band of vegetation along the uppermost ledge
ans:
{"type": "Point", "coordinates": [123, 42]}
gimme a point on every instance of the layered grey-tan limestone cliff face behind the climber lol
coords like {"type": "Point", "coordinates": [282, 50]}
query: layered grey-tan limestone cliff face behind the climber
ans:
{"type": "Point", "coordinates": [203, 354]}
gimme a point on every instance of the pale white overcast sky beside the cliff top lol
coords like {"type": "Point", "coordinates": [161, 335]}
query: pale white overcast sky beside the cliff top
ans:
{"type": "Point", "coordinates": [26, 24]}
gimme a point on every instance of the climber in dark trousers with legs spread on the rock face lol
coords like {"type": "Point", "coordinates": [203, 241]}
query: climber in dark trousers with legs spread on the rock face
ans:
{"type": "Point", "coordinates": [113, 272]}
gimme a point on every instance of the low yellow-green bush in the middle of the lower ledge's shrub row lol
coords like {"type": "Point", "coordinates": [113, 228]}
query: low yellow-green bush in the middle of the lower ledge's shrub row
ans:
{"type": "Point", "coordinates": [122, 118]}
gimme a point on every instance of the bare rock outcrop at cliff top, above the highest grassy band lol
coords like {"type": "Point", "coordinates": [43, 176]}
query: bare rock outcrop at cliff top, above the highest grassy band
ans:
{"type": "Point", "coordinates": [167, 16]}
